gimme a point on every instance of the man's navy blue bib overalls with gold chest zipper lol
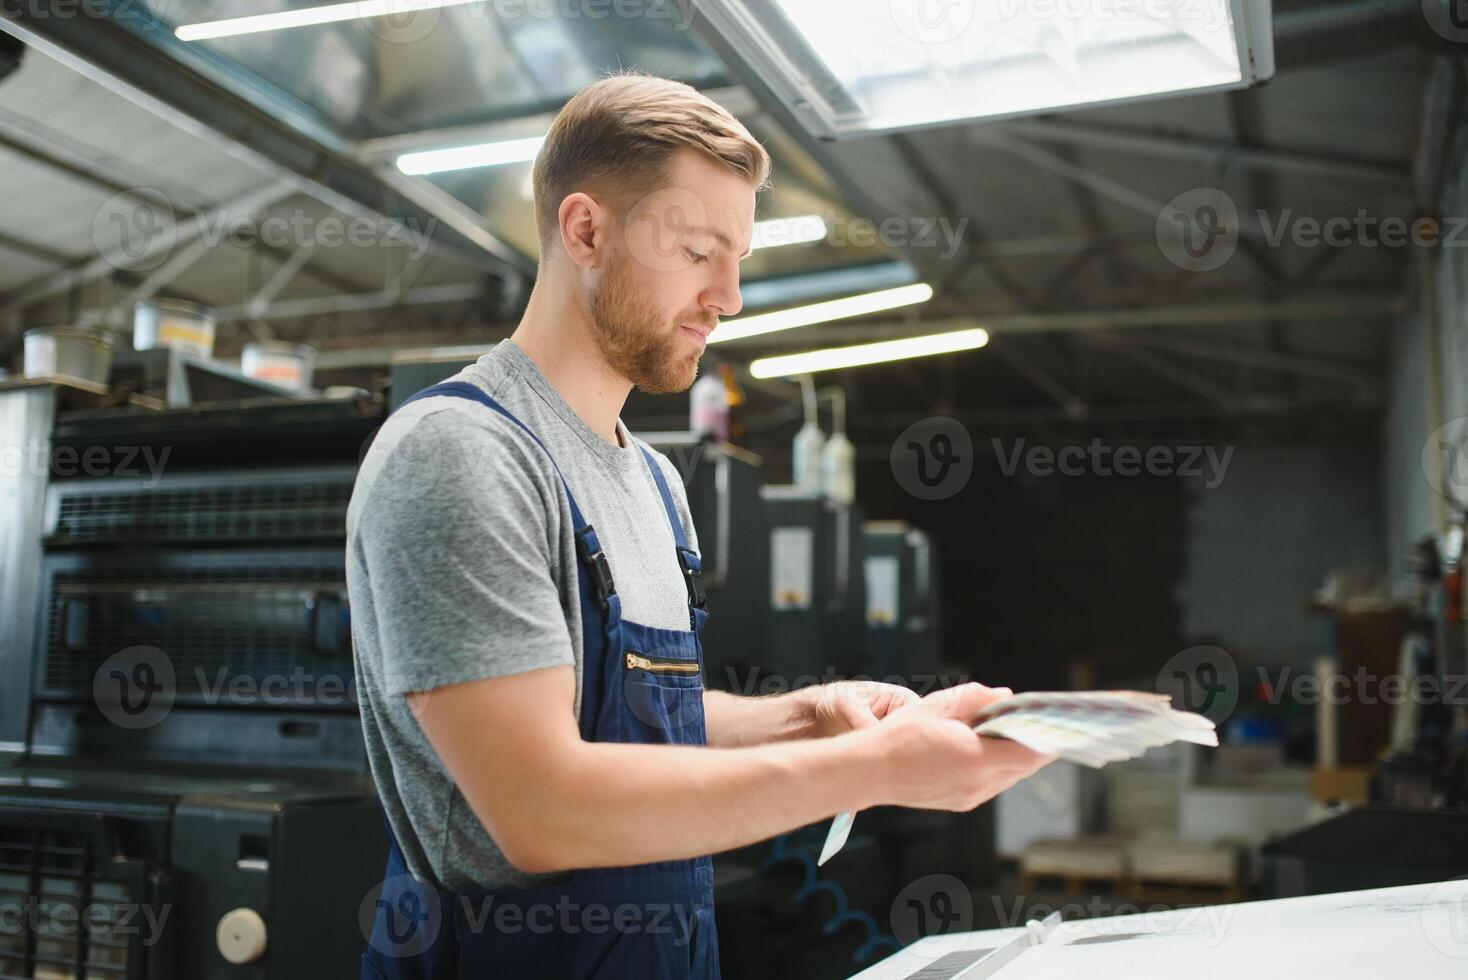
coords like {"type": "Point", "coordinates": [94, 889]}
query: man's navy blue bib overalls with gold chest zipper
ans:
{"type": "Point", "coordinates": [651, 922]}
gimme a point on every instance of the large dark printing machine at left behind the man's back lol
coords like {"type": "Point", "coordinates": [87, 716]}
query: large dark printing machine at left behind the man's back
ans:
{"type": "Point", "coordinates": [183, 787]}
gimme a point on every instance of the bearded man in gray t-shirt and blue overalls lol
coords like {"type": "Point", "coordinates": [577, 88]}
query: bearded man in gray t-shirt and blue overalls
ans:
{"type": "Point", "coordinates": [526, 602]}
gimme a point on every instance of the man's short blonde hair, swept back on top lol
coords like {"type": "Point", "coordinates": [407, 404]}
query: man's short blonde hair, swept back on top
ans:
{"type": "Point", "coordinates": [617, 134]}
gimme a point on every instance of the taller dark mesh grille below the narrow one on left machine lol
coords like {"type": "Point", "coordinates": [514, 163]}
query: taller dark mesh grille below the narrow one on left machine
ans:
{"type": "Point", "coordinates": [212, 624]}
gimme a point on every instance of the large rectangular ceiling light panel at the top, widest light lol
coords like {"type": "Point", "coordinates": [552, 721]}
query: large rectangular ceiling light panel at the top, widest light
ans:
{"type": "Point", "coordinates": [889, 65]}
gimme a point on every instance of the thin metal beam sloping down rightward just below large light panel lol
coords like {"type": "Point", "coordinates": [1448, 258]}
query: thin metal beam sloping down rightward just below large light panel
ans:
{"type": "Point", "coordinates": [1207, 152]}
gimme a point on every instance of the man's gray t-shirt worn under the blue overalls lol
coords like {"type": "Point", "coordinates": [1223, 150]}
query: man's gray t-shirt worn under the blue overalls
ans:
{"type": "Point", "coordinates": [462, 566]}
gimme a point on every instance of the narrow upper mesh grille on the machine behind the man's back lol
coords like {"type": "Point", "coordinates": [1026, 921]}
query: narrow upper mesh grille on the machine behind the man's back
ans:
{"type": "Point", "coordinates": [255, 511]}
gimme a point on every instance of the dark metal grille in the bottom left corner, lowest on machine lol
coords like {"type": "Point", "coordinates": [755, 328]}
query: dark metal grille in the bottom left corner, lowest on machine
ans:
{"type": "Point", "coordinates": [64, 922]}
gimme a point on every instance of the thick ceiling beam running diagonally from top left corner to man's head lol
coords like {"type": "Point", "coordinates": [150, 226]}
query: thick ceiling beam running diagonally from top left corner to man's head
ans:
{"type": "Point", "coordinates": [145, 74]}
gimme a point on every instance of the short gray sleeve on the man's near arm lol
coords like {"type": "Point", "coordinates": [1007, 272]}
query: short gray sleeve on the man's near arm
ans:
{"type": "Point", "coordinates": [457, 533]}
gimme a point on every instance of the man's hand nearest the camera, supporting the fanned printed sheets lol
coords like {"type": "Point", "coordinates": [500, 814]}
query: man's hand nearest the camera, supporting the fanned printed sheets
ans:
{"type": "Point", "coordinates": [931, 758]}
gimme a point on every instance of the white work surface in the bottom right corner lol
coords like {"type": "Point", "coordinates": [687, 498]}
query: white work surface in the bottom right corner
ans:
{"type": "Point", "coordinates": [1416, 931]}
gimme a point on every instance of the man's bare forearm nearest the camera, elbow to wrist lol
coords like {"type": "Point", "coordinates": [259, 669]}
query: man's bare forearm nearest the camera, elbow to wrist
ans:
{"type": "Point", "coordinates": [614, 805]}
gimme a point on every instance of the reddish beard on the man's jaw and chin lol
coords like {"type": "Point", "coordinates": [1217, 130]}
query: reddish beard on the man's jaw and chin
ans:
{"type": "Point", "coordinates": [635, 340]}
